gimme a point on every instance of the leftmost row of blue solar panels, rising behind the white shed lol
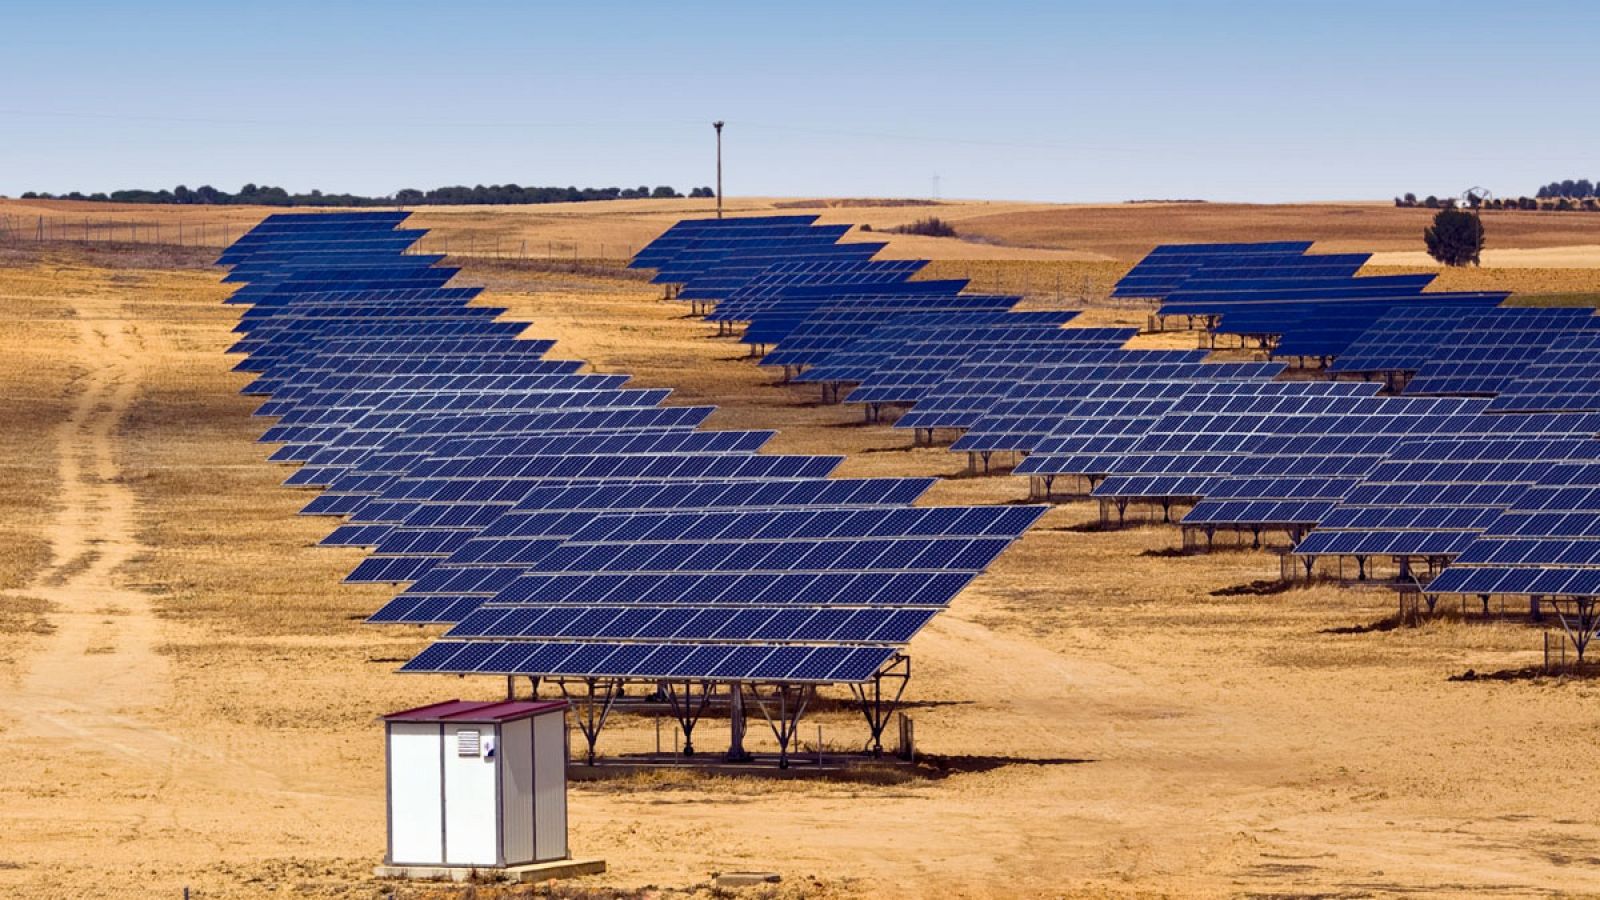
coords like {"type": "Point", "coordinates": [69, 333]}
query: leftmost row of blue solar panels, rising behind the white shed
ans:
{"type": "Point", "coordinates": [559, 523]}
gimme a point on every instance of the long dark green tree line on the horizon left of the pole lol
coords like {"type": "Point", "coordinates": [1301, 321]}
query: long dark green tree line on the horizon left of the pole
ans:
{"type": "Point", "coordinates": [460, 195]}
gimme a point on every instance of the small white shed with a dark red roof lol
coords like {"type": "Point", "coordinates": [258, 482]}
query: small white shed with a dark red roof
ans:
{"type": "Point", "coordinates": [478, 784]}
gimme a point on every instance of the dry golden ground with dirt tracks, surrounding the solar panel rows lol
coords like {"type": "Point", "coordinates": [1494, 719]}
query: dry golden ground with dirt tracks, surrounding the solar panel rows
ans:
{"type": "Point", "coordinates": [190, 694]}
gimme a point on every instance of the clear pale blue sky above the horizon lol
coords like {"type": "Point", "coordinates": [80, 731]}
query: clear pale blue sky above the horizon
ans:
{"type": "Point", "coordinates": [1049, 102]}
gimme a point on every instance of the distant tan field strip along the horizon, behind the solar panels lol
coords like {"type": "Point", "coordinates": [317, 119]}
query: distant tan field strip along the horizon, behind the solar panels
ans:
{"type": "Point", "coordinates": [990, 230]}
